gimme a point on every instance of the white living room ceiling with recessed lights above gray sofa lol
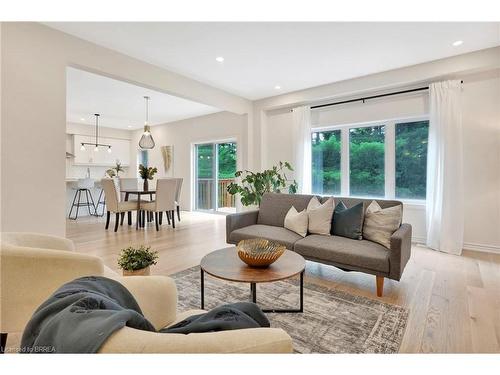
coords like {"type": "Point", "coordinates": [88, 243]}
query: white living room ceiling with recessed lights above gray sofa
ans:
{"type": "Point", "coordinates": [259, 56]}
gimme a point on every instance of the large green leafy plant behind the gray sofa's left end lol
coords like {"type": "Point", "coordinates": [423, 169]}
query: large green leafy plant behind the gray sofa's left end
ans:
{"type": "Point", "coordinates": [253, 185]}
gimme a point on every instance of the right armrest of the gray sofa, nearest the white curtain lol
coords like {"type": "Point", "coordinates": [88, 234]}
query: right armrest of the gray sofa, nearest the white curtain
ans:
{"type": "Point", "coordinates": [400, 251]}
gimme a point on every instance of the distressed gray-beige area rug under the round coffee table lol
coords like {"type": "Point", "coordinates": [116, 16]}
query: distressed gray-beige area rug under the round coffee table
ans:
{"type": "Point", "coordinates": [332, 322]}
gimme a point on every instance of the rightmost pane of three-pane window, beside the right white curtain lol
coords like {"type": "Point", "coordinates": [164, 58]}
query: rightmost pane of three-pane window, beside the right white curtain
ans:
{"type": "Point", "coordinates": [411, 159]}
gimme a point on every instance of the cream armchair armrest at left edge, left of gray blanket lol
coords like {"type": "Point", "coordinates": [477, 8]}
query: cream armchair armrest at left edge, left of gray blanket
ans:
{"type": "Point", "coordinates": [28, 276]}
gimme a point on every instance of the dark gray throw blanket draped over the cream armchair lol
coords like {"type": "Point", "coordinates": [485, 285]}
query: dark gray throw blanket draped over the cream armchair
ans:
{"type": "Point", "coordinates": [82, 314]}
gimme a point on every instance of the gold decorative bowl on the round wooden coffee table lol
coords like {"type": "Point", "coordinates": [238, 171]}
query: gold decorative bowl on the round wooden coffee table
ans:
{"type": "Point", "coordinates": [258, 252]}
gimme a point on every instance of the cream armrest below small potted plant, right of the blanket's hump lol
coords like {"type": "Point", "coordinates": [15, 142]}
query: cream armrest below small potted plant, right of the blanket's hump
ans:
{"type": "Point", "coordinates": [156, 296]}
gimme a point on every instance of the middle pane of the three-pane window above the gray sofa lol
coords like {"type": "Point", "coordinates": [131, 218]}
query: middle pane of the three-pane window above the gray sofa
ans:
{"type": "Point", "coordinates": [366, 161]}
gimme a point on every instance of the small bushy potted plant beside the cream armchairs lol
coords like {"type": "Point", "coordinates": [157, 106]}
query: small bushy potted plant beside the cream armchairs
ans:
{"type": "Point", "coordinates": [136, 261]}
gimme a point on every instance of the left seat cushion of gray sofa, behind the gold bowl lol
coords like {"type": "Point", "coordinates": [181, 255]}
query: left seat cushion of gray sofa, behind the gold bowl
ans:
{"type": "Point", "coordinates": [278, 234]}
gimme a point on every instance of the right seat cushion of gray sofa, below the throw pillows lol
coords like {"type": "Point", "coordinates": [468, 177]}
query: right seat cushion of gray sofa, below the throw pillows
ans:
{"type": "Point", "coordinates": [336, 249]}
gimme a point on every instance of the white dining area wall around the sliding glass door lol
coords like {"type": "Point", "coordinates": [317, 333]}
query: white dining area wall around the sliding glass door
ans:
{"type": "Point", "coordinates": [183, 135]}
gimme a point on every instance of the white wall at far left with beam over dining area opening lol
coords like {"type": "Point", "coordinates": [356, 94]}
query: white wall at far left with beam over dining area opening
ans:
{"type": "Point", "coordinates": [34, 60]}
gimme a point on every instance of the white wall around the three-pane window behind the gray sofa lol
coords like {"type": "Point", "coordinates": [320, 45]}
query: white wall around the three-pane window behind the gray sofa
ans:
{"type": "Point", "coordinates": [481, 122]}
